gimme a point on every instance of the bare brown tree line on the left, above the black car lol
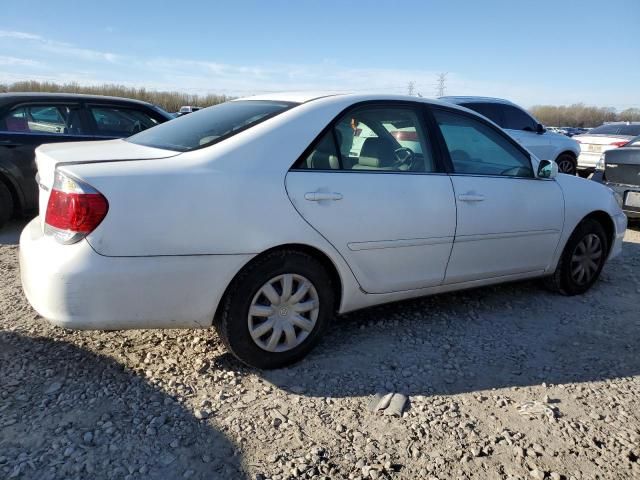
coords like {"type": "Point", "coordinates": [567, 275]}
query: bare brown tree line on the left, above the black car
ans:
{"type": "Point", "coordinates": [169, 101]}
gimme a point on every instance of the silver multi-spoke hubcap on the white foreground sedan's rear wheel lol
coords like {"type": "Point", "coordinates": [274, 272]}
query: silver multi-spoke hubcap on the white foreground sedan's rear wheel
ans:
{"type": "Point", "coordinates": [283, 313]}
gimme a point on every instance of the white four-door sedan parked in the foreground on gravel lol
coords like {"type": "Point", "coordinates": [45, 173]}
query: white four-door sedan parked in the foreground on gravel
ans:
{"type": "Point", "coordinates": [254, 216]}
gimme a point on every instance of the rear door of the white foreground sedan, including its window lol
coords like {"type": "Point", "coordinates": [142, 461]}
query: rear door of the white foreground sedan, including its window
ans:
{"type": "Point", "coordinates": [386, 206]}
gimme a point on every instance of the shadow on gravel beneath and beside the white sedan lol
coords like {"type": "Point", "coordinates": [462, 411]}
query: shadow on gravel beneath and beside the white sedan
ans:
{"type": "Point", "coordinates": [504, 336]}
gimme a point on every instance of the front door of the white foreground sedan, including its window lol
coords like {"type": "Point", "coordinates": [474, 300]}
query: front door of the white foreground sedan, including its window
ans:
{"type": "Point", "coordinates": [508, 221]}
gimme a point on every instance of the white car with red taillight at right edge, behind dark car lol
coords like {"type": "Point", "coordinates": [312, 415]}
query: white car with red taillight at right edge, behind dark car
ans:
{"type": "Point", "coordinates": [601, 139]}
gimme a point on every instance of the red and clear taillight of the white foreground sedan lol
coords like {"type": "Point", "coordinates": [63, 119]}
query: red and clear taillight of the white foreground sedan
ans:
{"type": "Point", "coordinates": [74, 209]}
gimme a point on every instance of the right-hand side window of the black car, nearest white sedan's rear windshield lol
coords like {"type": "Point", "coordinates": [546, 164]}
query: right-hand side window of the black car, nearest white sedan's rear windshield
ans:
{"type": "Point", "coordinates": [120, 121]}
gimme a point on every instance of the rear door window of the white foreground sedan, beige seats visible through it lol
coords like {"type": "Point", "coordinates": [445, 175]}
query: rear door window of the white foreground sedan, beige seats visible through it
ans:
{"type": "Point", "coordinates": [373, 138]}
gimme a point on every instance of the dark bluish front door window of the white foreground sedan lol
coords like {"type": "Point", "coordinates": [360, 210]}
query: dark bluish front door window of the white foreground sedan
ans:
{"type": "Point", "coordinates": [478, 149]}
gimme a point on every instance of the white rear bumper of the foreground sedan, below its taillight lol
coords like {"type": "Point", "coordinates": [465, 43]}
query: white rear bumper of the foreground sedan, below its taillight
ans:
{"type": "Point", "coordinates": [74, 287]}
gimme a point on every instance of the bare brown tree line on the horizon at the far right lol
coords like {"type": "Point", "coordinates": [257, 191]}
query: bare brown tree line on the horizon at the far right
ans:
{"type": "Point", "coordinates": [581, 115]}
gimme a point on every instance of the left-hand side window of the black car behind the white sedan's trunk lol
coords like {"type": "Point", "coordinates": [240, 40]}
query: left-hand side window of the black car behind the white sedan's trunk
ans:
{"type": "Point", "coordinates": [44, 119]}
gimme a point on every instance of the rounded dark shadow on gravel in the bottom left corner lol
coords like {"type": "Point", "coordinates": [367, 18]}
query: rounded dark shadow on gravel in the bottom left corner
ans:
{"type": "Point", "coordinates": [66, 412]}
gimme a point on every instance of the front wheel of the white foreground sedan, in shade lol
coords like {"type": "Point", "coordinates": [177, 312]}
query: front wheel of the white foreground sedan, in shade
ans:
{"type": "Point", "coordinates": [582, 259]}
